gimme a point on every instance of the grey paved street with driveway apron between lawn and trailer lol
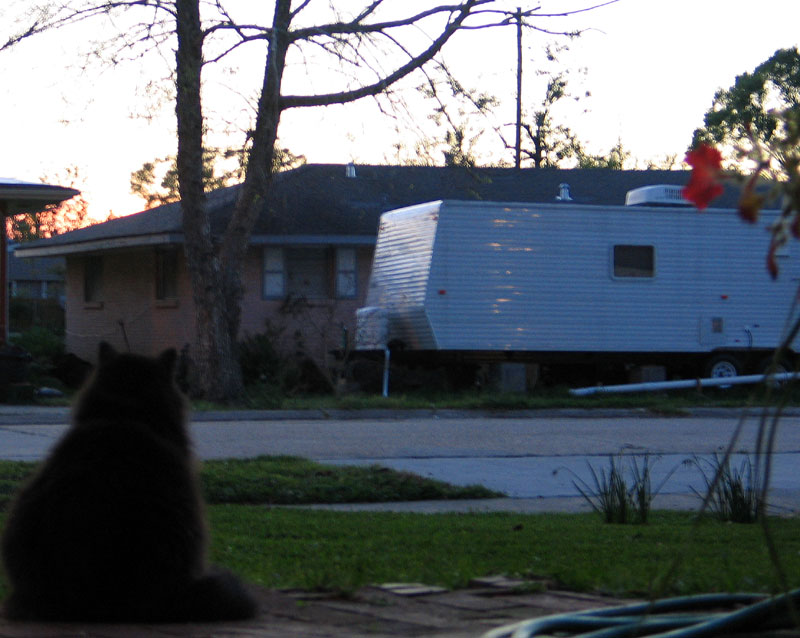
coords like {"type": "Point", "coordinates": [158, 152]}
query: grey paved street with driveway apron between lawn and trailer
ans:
{"type": "Point", "coordinates": [532, 458]}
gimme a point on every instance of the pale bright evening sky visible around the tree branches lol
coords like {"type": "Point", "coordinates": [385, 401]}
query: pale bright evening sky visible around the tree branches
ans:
{"type": "Point", "coordinates": [651, 68]}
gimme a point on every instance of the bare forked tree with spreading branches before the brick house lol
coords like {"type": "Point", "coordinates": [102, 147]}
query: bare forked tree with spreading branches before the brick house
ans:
{"type": "Point", "coordinates": [373, 45]}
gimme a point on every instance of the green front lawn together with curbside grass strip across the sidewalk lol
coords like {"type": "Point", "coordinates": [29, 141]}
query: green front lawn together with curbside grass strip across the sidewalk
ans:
{"type": "Point", "coordinates": [324, 550]}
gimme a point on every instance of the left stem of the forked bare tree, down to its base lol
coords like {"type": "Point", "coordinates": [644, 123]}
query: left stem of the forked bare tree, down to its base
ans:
{"type": "Point", "coordinates": [216, 373]}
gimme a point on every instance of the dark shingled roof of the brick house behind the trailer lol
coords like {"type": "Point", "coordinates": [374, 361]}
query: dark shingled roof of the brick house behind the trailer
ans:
{"type": "Point", "coordinates": [332, 203]}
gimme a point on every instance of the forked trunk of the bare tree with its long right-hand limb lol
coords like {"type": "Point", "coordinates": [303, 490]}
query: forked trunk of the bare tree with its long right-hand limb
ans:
{"type": "Point", "coordinates": [215, 268]}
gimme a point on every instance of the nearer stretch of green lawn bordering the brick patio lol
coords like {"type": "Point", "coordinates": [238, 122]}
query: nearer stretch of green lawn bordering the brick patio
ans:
{"type": "Point", "coordinates": [334, 551]}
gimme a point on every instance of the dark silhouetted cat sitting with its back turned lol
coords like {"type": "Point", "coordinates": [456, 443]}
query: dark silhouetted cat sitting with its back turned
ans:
{"type": "Point", "coordinates": [112, 527]}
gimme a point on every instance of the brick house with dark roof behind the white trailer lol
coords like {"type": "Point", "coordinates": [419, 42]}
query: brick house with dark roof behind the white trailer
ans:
{"type": "Point", "coordinates": [310, 253]}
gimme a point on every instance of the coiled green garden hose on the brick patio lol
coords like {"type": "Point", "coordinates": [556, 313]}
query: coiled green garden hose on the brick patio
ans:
{"type": "Point", "coordinates": [669, 617]}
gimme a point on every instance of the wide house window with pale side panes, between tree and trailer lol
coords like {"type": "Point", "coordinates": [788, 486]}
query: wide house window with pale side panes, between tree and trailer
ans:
{"type": "Point", "coordinates": [310, 272]}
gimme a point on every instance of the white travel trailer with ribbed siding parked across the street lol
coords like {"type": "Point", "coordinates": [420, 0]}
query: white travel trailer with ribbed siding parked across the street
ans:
{"type": "Point", "coordinates": [652, 282]}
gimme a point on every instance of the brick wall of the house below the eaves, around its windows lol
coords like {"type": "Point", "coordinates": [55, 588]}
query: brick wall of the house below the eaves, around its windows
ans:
{"type": "Point", "coordinates": [129, 316]}
